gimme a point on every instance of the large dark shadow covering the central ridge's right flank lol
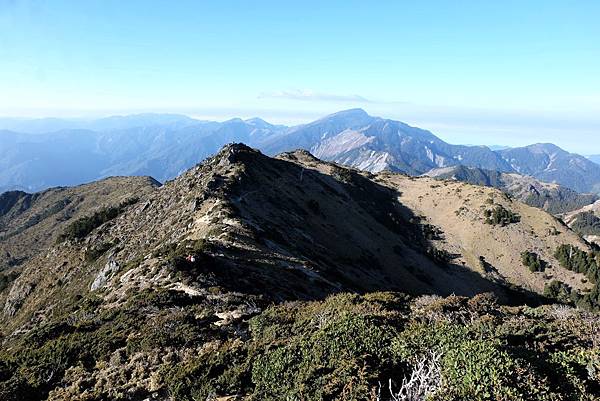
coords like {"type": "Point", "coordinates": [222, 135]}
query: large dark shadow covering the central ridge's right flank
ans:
{"type": "Point", "coordinates": [314, 233]}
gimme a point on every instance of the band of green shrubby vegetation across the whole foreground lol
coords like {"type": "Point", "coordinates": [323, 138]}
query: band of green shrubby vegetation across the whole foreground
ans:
{"type": "Point", "coordinates": [347, 347]}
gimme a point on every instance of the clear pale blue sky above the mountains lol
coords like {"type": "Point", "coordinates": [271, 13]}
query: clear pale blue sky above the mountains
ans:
{"type": "Point", "coordinates": [480, 72]}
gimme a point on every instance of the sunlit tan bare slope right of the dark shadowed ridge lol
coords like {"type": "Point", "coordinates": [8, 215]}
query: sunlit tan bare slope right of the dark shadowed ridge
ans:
{"type": "Point", "coordinates": [458, 210]}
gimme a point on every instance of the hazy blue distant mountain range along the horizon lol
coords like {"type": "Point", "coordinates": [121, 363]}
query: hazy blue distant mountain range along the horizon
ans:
{"type": "Point", "coordinates": [37, 154]}
